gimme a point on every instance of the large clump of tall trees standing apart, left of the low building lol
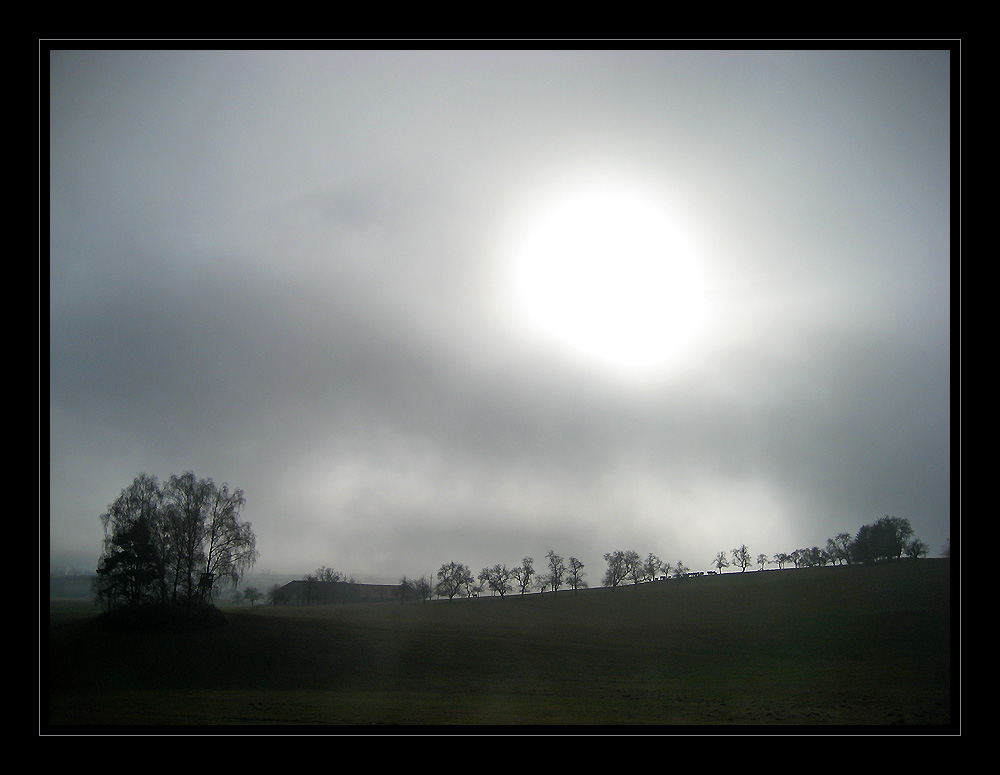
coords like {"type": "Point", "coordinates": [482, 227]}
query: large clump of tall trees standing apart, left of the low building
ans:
{"type": "Point", "coordinates": [172, 543]}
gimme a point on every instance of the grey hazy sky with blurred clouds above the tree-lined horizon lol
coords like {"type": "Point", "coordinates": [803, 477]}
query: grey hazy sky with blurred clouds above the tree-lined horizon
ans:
{"type": "Point", "coordinates": [297, 273]}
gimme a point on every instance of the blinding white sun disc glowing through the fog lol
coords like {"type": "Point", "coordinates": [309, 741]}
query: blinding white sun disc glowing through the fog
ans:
{"type": "Point", "coordinates": [608, 275]}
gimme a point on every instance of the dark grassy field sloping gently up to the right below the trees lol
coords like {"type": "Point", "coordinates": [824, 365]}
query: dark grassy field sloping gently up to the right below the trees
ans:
{"type": "Point", "coordinates": [844, 646]}
